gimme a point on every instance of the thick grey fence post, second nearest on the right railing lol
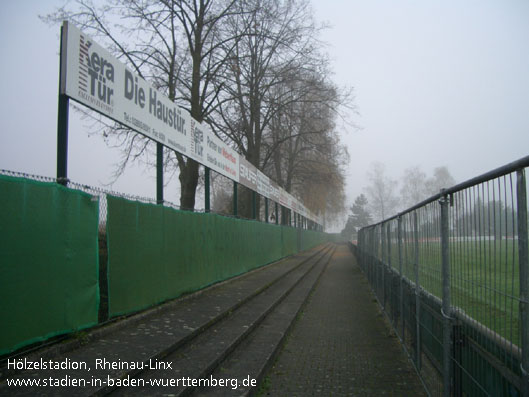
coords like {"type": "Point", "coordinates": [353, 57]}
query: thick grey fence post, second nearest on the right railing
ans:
{"type": "Point", "coordinates": [446, 305]}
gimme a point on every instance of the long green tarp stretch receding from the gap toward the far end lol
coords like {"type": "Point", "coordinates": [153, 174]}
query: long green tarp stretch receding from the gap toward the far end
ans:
{"type": "Point", "coordinates": [157, 253]}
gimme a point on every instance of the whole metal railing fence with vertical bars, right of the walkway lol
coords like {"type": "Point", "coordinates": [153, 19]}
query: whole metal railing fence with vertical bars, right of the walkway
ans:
{"type": "Point", "coordinates": [452, 274]}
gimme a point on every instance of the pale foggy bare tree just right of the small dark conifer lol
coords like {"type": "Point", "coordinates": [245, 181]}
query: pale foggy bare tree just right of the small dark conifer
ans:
{"type": "Point", "coordinates": [381, 192]}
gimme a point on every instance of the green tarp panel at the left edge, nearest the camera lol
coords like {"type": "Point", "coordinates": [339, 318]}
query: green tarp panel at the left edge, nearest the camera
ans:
{"type": "Point", "coordinates": [48, 261]}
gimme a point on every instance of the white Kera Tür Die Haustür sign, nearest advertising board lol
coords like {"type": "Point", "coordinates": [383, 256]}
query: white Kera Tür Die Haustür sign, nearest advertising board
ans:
{"type": "Point", "coordinates": [98, 80]}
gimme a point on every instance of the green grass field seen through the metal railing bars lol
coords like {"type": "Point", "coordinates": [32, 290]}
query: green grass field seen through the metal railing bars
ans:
{"type": "Point", "coordinates": [484, 279]}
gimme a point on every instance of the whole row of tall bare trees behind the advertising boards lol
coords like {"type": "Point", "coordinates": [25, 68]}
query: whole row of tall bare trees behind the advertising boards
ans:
{"type": "Point", "coordinates": [237, 65]}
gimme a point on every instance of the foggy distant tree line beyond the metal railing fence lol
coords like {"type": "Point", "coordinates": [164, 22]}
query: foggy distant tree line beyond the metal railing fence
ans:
{"type": "Point", "coordinates": [477, 213]}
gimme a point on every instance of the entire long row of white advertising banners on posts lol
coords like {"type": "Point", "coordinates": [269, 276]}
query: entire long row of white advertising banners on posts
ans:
{"type": "Point", "coordinates": [93, 77]}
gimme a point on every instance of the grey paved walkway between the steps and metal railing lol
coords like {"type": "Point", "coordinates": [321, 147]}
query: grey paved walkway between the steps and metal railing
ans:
{"type": "Point", "coordinates": [341, 344]}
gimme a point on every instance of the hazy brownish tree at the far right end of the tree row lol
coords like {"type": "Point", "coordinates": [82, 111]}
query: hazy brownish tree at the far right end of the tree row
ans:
{"type": "Point", "coordinates": [301, 148]}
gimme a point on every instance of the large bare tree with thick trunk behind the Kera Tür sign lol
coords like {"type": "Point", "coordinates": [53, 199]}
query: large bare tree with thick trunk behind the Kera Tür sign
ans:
{"type": "Point", "coordinates": [177, 45]}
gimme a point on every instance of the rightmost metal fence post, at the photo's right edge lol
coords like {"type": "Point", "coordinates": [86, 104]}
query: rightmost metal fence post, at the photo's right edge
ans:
{"type": "Point", "coordinates": [523, 263]}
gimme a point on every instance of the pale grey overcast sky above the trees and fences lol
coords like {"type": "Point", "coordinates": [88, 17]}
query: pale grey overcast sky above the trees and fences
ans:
{"type": "Point", "coordinates": [437, 83]}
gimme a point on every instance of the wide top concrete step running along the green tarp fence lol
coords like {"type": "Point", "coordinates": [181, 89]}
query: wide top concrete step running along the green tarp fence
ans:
{"type": "Point", "coordinates": [145, 338]}
